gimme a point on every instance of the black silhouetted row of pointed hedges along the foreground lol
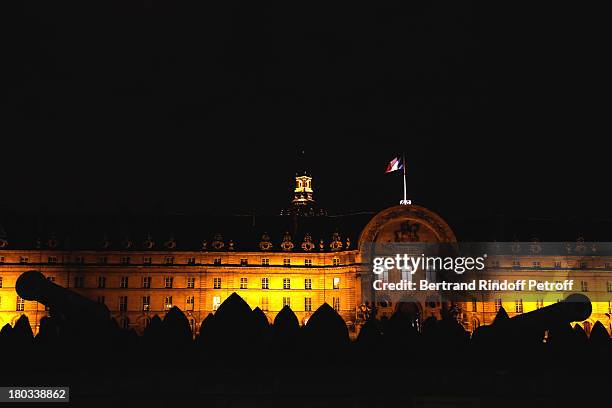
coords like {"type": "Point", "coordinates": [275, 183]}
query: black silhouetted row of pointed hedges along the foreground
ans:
{"type": "Point", "coordinates": [238, 349]}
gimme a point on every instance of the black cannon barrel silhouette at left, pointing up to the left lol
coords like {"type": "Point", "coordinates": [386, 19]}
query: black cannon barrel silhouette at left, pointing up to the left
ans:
{"type": "Point", "coordinates": [32, 285]}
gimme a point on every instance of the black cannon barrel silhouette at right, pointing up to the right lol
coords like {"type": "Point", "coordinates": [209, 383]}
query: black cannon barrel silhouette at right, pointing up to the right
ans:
{"type": "Point", "coordinates": [575, 307]}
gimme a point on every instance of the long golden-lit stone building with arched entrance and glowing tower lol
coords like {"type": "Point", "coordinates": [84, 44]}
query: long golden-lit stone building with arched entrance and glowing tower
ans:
{"type": "Point", "coordinates": [300, 258]}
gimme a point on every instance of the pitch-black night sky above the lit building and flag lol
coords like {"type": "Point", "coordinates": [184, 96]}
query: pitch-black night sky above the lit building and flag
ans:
{"type": "Point", "coordinates": [205, 107]}
